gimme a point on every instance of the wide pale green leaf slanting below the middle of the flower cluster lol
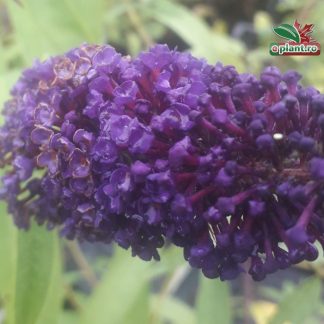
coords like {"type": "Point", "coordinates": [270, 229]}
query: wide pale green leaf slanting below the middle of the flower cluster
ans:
{"type": "Point", "coordinates": [119, 291]}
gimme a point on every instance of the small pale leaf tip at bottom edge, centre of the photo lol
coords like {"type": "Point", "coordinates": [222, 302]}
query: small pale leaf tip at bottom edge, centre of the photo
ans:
{"type": "Point", "coordinates": [172, 310]}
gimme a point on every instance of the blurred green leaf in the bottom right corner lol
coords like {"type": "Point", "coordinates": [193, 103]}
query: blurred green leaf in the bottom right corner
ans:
{"type": "Point", "coordinates": [300, 304]}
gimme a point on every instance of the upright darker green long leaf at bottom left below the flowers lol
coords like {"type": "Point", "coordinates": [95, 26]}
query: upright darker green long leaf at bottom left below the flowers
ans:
{"type": "Point", "coordinates": [35, 296]}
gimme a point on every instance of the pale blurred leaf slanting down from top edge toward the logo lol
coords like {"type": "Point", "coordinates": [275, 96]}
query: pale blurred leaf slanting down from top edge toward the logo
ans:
{"type": "Point", "coordinates": [194, 31]}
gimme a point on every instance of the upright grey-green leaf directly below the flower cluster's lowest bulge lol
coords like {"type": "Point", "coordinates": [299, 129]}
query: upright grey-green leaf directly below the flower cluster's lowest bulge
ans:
{"type": "Point", "coordinates": [213, 302]}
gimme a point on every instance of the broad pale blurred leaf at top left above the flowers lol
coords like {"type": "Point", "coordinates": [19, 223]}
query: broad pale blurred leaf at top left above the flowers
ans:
{"type": "Point", "coordinates": [49, 27]}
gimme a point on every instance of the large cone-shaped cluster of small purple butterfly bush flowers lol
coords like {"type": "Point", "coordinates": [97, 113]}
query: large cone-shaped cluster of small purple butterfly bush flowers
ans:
{"type": "Point", "coordinates": [165, 147]}
